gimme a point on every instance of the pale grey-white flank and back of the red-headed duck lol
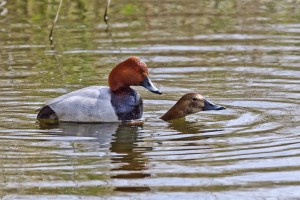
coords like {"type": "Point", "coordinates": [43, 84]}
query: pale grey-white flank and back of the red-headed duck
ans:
{"type": "Point", "coordinates": [90, 104]}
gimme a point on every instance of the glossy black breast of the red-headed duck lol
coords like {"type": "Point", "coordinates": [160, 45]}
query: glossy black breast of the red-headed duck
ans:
{"type": "Point", "coordinates": [128, 107]}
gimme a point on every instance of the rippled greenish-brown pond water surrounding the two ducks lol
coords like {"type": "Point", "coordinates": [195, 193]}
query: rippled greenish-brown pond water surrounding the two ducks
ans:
{"type": "Point", "coordinates": [240, 54]}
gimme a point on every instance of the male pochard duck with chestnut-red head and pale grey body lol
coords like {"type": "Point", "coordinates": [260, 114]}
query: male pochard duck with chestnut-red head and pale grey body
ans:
{"type": "Point", "coordinates": [118, 102]}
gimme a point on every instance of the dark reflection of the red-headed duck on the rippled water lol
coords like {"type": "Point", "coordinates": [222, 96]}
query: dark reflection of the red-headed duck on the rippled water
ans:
{"type": "Point", "coordinates": [120, 141]}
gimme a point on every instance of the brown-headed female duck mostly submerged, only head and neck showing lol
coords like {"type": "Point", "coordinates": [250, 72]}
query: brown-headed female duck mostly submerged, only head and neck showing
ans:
{"type": "Point", "coordinates": [188, 104]}
